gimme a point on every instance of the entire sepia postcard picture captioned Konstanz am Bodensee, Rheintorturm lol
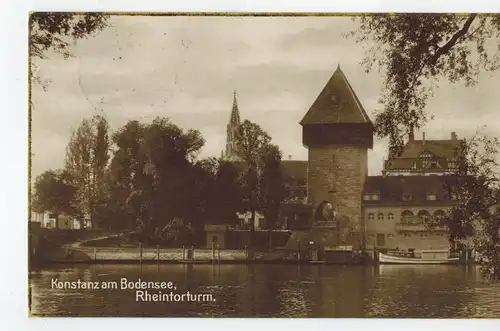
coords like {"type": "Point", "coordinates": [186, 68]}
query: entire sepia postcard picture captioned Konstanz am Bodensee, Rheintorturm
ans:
{"type": "Point", "coordinates": [264, 165]}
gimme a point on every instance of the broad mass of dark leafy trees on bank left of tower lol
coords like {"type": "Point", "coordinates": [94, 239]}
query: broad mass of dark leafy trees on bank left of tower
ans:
{"type": "Point", "coordinates": [147, 177]}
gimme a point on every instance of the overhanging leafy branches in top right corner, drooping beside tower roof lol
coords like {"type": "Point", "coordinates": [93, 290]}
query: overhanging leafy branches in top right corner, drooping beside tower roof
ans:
{"type": "Point", "coordinates": [415, 51]}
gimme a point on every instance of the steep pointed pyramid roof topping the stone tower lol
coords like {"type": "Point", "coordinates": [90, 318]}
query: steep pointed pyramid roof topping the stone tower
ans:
{"type": "Point", "coordinates": [337, 103]}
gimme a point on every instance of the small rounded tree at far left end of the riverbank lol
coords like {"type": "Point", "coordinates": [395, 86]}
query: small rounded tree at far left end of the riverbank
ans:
{"type": "Point", "coordinates": [54, 193]}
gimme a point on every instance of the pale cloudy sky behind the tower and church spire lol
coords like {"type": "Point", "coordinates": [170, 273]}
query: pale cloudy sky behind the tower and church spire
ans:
{"type": "Point", "coordinates": [186, 68]}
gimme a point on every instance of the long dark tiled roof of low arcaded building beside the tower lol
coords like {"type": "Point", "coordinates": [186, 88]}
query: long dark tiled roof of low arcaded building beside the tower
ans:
{"type": "Point", "coordinates": [392, 188]}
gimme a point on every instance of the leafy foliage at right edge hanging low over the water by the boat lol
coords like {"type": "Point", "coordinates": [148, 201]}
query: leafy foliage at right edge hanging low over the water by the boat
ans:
{"type": "Point", "coordinates": [474, 220]}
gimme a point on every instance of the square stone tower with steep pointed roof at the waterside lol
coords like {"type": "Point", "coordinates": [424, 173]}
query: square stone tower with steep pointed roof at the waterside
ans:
{"type": "Point", "coordinates": [338, 133]}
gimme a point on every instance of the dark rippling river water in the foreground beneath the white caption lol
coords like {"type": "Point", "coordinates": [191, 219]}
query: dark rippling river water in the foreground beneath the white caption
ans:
{"type": "Point", "coordinates": [274, 290]}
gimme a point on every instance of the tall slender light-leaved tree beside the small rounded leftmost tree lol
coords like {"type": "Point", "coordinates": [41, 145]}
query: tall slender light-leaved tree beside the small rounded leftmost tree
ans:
{"type": "Point", "coordinates": [87, 156]}
